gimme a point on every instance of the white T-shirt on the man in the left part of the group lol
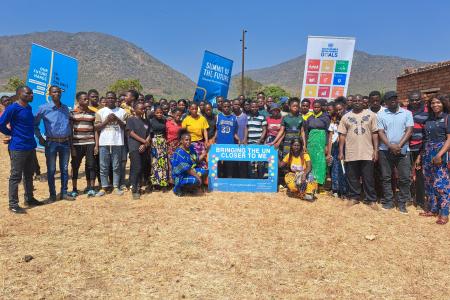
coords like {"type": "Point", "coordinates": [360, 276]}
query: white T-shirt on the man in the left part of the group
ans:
{"type": "Point", "coordinates": [112, 134]}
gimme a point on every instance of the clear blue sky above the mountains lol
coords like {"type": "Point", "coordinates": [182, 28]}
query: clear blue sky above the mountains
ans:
{"type": "Point", "coordinates": [177, 32]}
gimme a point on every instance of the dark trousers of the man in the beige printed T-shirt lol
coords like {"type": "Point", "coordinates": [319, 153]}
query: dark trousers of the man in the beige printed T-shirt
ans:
{"type": "Point", "coordinates": [357, 170]}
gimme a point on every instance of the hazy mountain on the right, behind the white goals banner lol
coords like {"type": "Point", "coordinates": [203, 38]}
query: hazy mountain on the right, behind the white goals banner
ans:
{"type": "Point", "coordinates": [369, 72]}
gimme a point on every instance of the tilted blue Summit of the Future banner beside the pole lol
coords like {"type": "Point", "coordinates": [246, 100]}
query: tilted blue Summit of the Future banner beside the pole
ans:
{"type": "Point", "coordinates": [214, 79]}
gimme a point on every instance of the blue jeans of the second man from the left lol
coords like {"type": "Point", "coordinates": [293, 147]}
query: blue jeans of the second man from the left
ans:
{"type": "Point", "coordinates": [62, 150]}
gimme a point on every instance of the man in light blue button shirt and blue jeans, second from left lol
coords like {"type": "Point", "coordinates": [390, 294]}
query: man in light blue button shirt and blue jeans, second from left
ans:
{"type": "Point", "coordinates": [57, 135]}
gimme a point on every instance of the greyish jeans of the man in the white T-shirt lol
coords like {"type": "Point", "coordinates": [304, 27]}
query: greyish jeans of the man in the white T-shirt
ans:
{"type": "Point", "coordinates": [108, 155]}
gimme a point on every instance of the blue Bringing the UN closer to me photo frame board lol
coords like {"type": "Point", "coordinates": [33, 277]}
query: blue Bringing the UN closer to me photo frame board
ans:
{"type": "Point", "coordinates": [237, 153]}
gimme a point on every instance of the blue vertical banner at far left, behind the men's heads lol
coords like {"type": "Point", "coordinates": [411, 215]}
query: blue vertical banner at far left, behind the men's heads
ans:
{"type": "Point", "coordinates": [47, 68]}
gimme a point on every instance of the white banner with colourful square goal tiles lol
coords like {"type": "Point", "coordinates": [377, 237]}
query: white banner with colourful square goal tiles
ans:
{"type": "Point", "coordinates": [327, 67]}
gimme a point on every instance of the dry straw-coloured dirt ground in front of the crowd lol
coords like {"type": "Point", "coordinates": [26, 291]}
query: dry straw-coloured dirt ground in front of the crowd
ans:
{"type": "Point", "coordinates": [221, 245]}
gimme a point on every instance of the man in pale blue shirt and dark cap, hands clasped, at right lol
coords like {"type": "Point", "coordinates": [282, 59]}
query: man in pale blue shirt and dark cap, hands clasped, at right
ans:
{"type": "Point", "coordinates": [395, 127]}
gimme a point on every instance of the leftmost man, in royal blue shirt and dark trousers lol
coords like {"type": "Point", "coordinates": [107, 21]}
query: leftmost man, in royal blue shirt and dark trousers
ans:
{"type": "Point", "coordinates": [21, 147]}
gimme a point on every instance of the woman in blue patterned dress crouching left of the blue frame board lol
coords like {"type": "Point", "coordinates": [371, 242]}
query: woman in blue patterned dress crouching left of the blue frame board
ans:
{"type": "Point", "coordinates": [186, 172]}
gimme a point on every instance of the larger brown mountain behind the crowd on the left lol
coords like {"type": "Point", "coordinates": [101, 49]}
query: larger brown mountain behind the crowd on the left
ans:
{"type": "Point", "coordinates": [102, 59]}
